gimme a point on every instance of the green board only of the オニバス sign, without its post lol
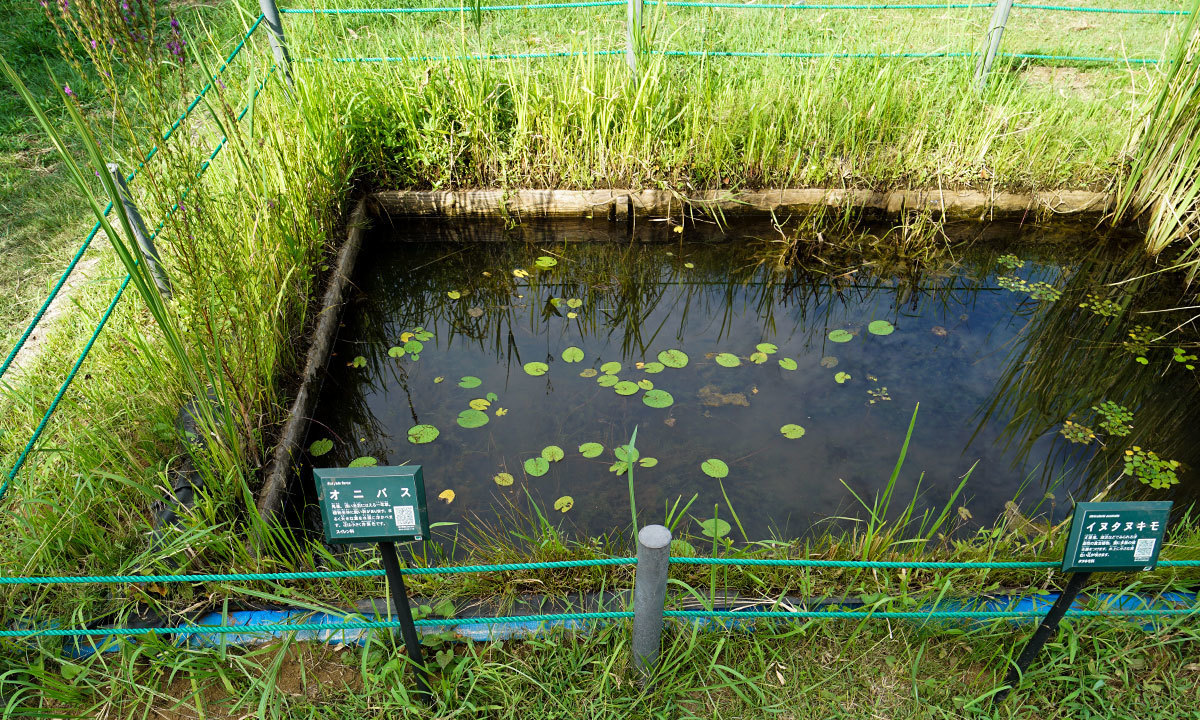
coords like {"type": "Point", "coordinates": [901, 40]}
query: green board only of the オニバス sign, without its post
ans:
{"type": "Point", "coordinates": [383, 503]}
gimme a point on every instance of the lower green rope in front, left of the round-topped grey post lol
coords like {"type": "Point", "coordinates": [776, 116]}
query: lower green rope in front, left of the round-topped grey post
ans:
{"type": "Point", "coordinates": [310, 627]}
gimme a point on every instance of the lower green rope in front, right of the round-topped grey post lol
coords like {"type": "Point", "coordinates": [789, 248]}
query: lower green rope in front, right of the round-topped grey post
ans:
{"type": "Point", "coordinates": [926, 615]}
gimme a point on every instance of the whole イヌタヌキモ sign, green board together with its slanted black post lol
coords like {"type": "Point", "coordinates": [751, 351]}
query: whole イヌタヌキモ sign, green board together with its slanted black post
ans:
{"type": "Point", "coordinates": [1105, 538]}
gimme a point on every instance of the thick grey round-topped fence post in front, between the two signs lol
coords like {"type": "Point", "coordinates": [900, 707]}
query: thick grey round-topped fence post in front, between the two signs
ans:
{"type": "Point", "coordinates": [650, 596]}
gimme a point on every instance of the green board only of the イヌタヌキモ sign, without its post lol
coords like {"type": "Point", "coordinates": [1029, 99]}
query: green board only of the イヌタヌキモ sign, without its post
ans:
{"type": "Point", "coordinates": [1115, 537]}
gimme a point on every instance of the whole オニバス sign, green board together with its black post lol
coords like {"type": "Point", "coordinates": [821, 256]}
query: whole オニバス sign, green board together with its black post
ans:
{"type": "Point", "coordinates": [381, 505]}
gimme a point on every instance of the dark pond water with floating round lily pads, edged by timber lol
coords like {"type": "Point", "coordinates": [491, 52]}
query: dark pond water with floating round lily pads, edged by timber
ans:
{"type": "Point", "coordinates": [997, 362]}
